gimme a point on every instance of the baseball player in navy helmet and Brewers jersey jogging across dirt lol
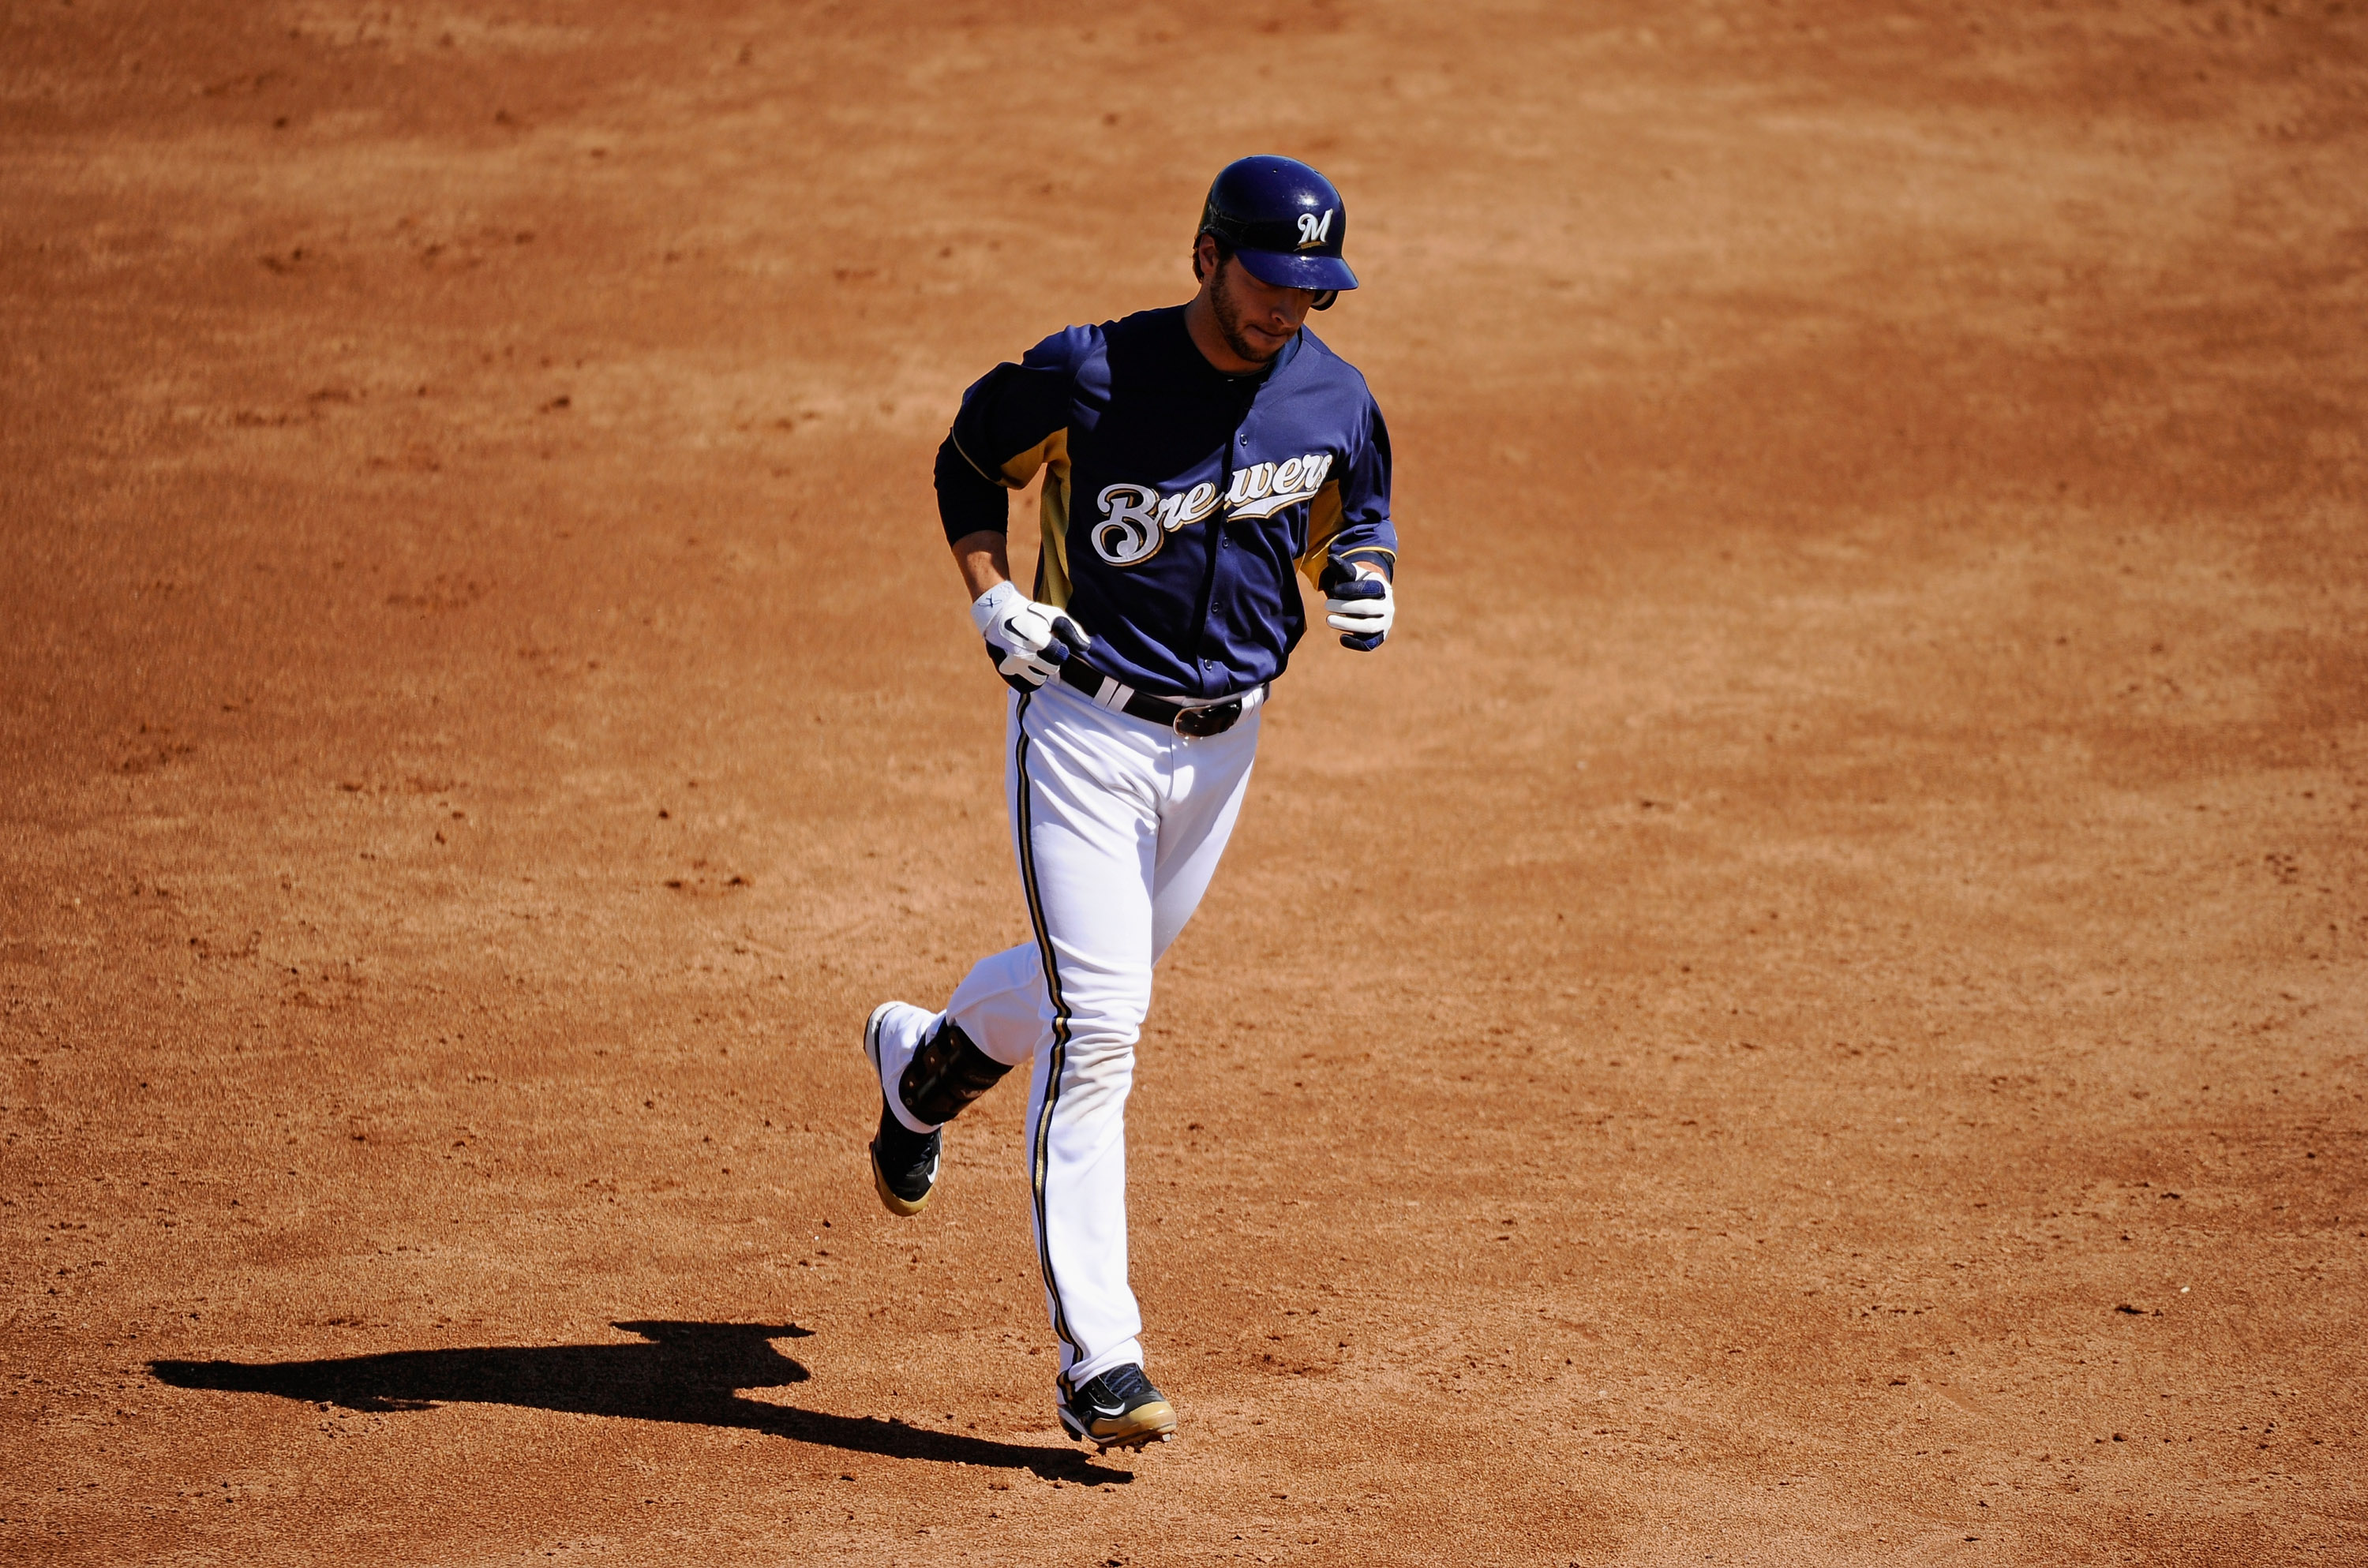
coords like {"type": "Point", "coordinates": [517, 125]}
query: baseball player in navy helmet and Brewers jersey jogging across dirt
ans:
{"type": "Point", "coordinates": [1192, 461]}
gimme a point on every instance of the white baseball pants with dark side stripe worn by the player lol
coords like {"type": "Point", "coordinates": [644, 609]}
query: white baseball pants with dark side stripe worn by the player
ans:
{"type": "Point", "coordinates": [1119, 828]}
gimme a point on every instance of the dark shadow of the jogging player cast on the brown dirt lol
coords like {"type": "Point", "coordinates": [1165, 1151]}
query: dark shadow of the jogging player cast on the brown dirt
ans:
{"type": "Point", "coordinates": [683, 1373]}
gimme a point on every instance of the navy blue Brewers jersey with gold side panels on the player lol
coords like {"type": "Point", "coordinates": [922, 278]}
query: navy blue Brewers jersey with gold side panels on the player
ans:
{"type": "Point", "coordinates": [1178, 499]}
